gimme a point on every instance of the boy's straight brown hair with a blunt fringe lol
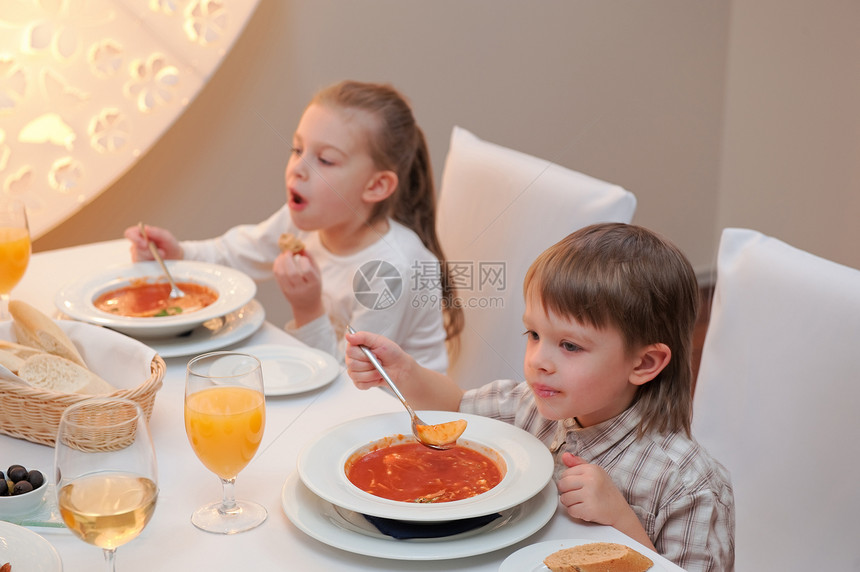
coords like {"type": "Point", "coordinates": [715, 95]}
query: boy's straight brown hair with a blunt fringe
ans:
{"type": "Point", "coordinates": [627, 277]}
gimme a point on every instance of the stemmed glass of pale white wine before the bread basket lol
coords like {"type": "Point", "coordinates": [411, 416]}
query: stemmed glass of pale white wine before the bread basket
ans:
{"type": "Point", "coordinates": [106, 474]}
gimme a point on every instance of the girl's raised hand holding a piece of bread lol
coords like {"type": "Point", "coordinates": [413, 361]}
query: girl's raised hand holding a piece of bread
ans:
{"type": "Point", "coordinates": [301, 283]}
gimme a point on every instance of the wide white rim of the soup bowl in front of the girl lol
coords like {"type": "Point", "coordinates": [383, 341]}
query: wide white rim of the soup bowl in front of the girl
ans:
{"type": "Point", "coordinates": [235, 289]}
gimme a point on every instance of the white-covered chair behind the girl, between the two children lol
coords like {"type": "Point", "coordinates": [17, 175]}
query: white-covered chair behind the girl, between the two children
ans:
{"type": "Point", "coordinates": [498, 209]}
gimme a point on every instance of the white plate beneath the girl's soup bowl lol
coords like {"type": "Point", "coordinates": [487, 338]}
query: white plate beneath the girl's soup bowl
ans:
{"type": "Point", "coordinates": [214, 334]}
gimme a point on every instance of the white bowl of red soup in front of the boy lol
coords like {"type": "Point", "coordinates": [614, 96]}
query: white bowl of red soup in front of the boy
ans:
{"type": "Point", "coordinates": [374, 466]}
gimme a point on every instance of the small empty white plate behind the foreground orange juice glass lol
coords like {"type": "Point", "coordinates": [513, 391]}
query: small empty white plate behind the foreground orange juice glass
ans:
{"type": "Point", "coordinates": [293, 369]}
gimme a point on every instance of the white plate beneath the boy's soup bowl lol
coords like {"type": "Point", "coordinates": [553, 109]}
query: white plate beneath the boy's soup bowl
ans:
{"type": "Point", "coordinates": [339, 528]}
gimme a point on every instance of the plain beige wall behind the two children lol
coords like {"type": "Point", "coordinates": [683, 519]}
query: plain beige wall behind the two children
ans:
{"type": "Point", "coordinates": [630, 92]}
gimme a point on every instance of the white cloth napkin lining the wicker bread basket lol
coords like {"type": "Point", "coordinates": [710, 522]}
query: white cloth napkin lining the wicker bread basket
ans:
{"type": "Point", "coordinates": [120, 360]}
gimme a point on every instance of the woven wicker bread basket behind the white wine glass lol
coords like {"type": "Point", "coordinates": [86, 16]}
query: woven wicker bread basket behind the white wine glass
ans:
{"type": "Point", "coordinates": [34, 414]}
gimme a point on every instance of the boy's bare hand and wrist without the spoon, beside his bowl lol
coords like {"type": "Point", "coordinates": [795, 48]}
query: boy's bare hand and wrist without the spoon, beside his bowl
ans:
{"type": "Point", "coordinates": [589, 494]}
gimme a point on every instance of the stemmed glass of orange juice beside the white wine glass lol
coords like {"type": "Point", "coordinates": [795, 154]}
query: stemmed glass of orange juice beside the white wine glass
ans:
{"type": "Point", "coordinates": [225, 414]}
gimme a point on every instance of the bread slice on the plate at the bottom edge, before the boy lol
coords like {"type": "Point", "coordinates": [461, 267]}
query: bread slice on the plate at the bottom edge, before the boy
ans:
{"type": "Point", "coordinates": [598, 557]}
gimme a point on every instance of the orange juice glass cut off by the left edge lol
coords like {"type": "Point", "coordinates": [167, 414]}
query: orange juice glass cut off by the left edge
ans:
{"type": "Point", "coordinates": [14, 249]}
